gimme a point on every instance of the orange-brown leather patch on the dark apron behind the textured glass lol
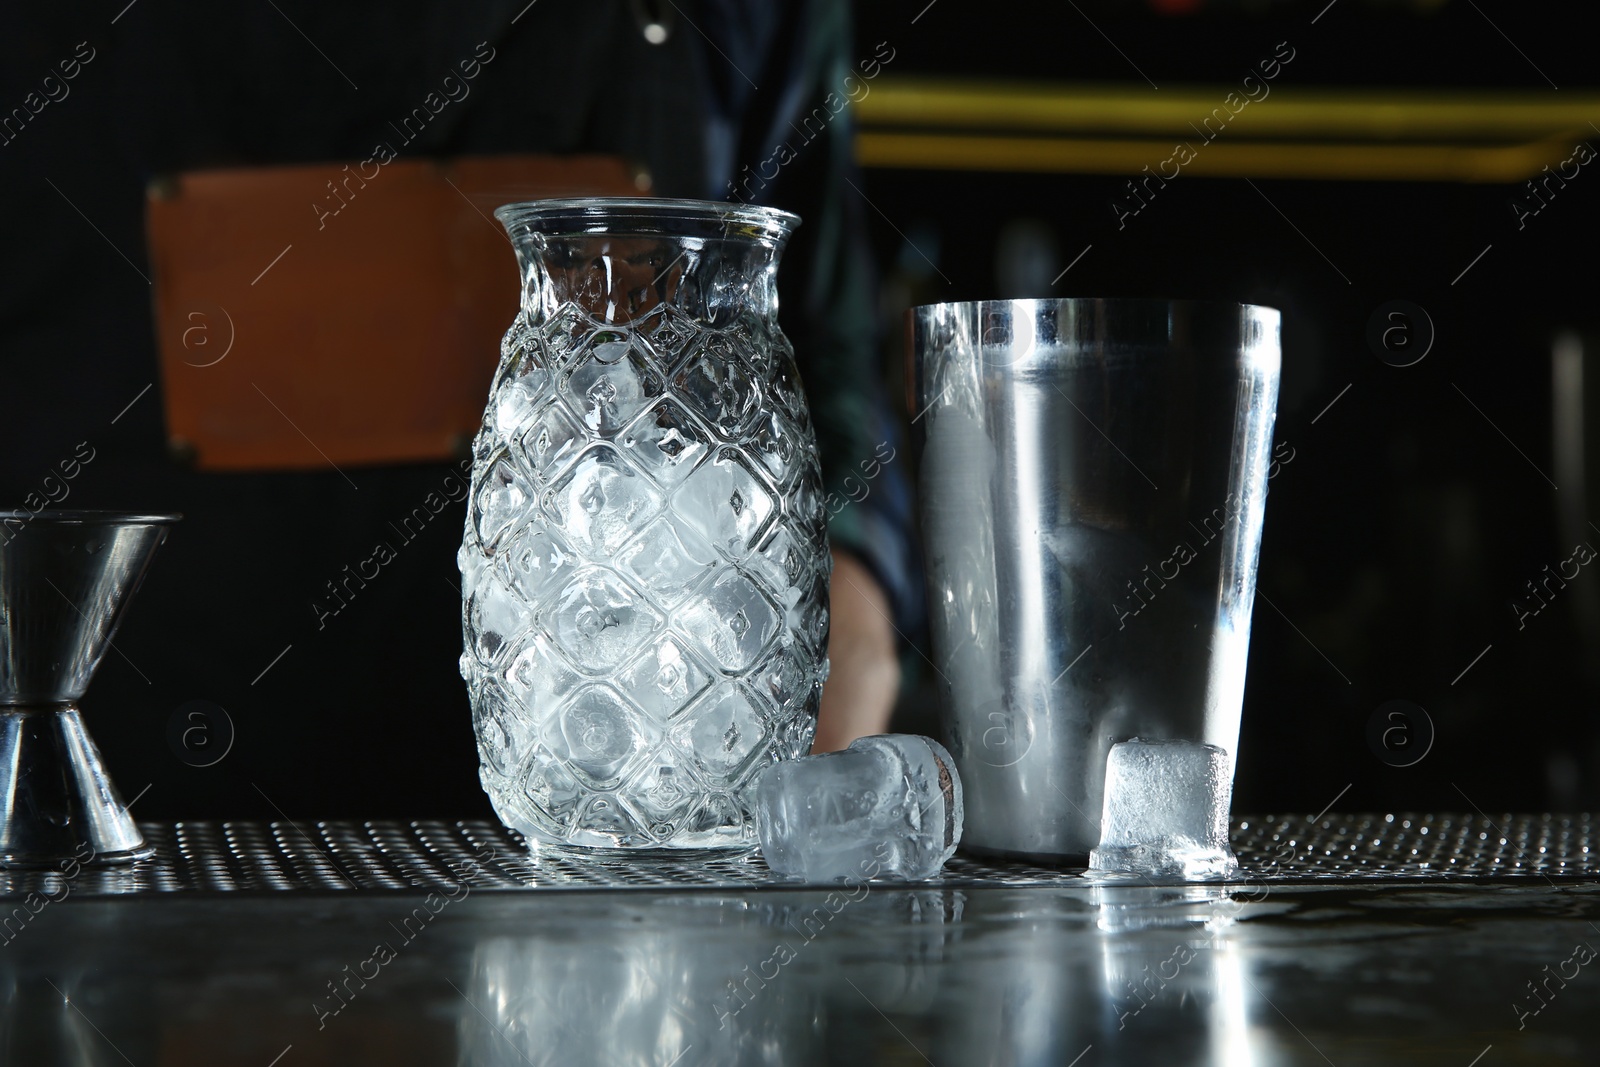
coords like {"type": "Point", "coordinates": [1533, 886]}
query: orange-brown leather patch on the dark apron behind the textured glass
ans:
{"type": "Point", "coordinates": [342, 314]}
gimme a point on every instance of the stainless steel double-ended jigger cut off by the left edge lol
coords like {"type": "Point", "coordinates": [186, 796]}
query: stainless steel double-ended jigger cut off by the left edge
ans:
{"type": "Point", "coordinates": [66, 580]}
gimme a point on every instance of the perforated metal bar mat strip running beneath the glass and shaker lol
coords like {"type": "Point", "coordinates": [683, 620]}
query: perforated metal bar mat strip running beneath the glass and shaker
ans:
{"type": "Point", "coordinates": [439, 855]}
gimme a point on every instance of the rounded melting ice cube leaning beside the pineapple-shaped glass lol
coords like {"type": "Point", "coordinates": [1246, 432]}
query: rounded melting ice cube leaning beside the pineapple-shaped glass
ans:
{"type": "Point", "coordinates": [887, 807]}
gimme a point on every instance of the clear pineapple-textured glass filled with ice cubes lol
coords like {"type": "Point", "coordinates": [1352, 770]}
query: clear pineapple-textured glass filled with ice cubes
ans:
{"type": "Point", "coordinates": [646, 562]}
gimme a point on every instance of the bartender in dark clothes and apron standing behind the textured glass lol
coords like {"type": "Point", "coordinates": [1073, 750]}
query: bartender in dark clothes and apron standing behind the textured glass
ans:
{"type": "Point", "coordinates": [366, 714]}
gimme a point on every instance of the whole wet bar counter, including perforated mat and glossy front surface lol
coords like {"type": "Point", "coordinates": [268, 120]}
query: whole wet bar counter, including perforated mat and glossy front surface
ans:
{"type": "Point", "coordinates": [1463, 940]}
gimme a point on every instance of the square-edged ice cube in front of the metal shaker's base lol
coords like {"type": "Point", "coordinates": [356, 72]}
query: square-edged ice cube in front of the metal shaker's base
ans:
{"type": "Point", "coordinates": [1166, 812]}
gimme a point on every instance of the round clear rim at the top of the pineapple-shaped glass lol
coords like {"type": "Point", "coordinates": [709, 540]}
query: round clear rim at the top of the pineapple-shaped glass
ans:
{"type": "Point", "coordinates": [647, 215]}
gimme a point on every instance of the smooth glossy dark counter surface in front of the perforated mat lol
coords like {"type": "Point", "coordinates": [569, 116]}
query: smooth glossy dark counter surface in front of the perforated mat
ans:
{"type": "Point", "coordinates": [1090, 975]}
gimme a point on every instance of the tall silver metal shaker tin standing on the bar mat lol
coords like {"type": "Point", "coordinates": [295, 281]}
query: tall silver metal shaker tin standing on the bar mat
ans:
{"type": "Point", "coordinates": [1094, 484]}
